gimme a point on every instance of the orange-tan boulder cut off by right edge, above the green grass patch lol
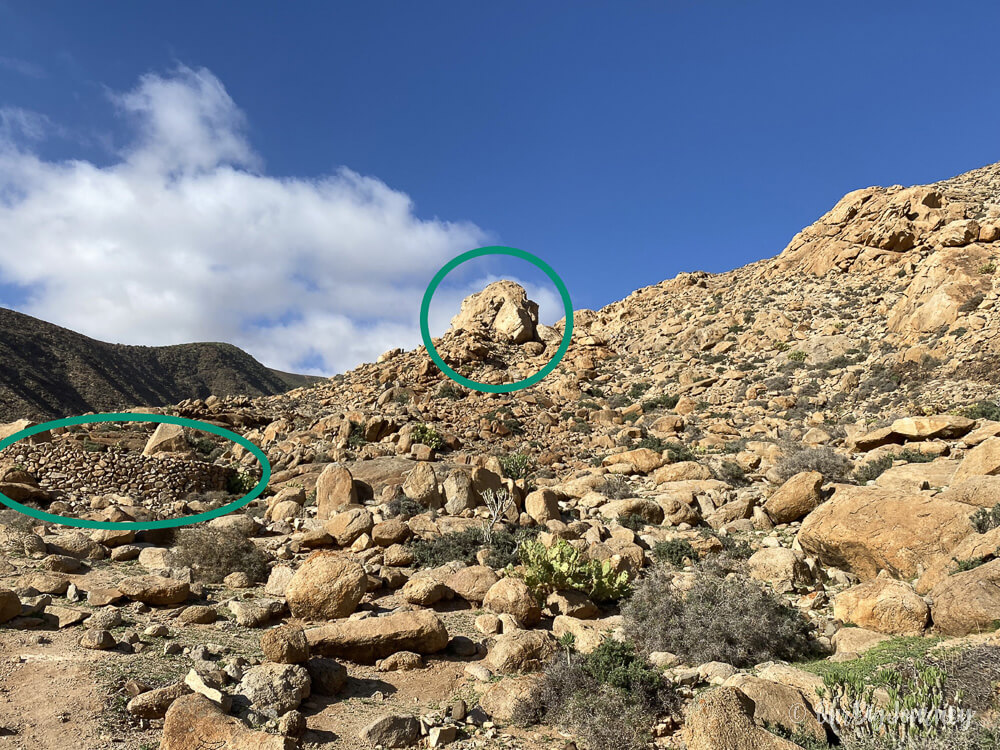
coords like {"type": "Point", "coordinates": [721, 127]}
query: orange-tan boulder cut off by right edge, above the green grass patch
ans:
{"type": "Point", "coordinates": [968, 602]}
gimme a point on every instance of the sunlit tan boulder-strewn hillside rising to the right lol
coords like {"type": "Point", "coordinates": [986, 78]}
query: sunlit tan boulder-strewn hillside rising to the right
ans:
{"type": "Point", "coordinates": [742, 504]}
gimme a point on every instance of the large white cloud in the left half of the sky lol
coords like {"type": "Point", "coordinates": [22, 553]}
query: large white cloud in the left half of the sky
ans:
{"type": "Point", "coordinates": [184, 238]}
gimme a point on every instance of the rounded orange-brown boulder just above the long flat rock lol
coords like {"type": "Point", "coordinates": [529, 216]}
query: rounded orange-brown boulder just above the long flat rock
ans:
{"type": "Point", "coordinates": [326, 587]}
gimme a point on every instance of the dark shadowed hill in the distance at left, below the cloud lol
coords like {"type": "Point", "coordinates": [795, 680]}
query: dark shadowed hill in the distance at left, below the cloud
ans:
{"type": "Point", "coordinates": [48, 372]}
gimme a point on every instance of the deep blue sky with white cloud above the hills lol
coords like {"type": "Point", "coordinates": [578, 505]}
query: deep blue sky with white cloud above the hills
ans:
{"type": "Point", "coordinates": [621, 142]}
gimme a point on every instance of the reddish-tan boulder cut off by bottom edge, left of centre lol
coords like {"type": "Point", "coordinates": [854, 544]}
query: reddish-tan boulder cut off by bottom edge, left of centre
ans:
{"type": "Point", "coordinates": [193, 722]}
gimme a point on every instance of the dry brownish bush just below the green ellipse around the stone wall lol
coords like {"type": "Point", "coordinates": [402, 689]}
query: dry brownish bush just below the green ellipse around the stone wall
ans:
{"type": "Point", "coordinates": [212, 554]}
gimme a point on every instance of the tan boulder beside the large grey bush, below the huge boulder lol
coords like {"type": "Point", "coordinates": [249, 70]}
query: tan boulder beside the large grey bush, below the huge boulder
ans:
{"type": "Point", "coordinates": [883, 605]}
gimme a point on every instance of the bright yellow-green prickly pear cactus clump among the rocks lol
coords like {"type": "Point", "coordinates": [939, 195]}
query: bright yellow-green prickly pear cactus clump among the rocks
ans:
{"type": "Point", "coordinates": [562, 567]}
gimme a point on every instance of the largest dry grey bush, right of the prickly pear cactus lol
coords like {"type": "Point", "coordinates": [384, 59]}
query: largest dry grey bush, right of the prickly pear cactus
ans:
{"type": "Point", "coordinates": [728, 618]}
